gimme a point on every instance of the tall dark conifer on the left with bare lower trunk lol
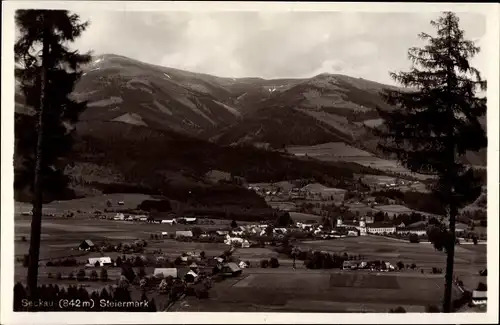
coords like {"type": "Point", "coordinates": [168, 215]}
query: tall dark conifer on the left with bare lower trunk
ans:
{"type": "Point", "coordinates": [47, 71]}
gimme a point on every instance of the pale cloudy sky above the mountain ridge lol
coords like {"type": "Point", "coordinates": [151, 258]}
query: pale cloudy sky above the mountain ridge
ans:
{"type": "Point", "coordinates": [270, 44]}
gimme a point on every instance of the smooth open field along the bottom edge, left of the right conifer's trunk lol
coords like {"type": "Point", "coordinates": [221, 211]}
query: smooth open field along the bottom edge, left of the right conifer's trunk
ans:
{"type": "Point", "coordinates": [319, 291]}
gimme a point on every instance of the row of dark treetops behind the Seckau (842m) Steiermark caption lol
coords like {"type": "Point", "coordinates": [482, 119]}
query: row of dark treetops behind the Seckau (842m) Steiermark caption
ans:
{"type": "Point", "coordinates": [53, 298]}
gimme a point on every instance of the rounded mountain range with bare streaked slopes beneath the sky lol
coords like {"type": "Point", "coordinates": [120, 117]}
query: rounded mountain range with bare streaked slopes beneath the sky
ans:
{"type": "Point", "coordinates": [135, 101]}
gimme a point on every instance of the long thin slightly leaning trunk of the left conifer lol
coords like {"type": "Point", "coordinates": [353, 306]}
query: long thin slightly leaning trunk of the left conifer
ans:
{"type": "Point", "coordinates": [36, 221]}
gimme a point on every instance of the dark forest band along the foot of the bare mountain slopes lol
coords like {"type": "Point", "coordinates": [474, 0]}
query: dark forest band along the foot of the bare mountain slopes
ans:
{"type": "Point", "coordinates": [142, 155]}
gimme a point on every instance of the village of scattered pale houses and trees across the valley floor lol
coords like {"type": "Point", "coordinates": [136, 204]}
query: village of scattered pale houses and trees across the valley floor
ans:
{"type": "Point", "coordinates": [194, 255]}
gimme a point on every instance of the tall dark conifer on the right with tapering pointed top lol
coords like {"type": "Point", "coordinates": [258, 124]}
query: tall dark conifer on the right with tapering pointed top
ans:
{"type": "Point", "coordinates": [437, 123]}
